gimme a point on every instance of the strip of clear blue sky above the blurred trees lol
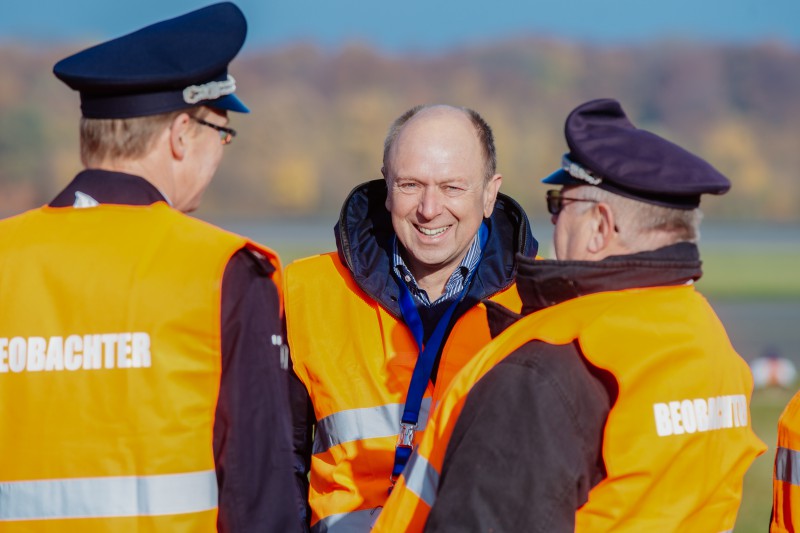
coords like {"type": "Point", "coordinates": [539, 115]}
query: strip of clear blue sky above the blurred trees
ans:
{"type": "Point", "coordinates": [419, 25]}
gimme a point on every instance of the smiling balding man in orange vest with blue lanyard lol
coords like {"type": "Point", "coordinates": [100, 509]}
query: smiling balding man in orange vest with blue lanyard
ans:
{"type": "Point", "coordinates": [379, 329]}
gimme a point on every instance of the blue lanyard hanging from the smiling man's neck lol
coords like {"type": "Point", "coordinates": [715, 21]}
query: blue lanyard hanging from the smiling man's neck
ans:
{"type": "Point", "coordinates": [425, 361]}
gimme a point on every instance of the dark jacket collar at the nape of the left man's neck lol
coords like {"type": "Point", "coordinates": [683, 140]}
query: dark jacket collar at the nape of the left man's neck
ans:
{"type": "Point", "coordinates": [109, 187]}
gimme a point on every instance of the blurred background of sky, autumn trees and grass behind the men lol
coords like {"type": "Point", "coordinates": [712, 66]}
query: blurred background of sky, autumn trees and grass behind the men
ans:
{"type": "Point", "coordinates": [325, 79]}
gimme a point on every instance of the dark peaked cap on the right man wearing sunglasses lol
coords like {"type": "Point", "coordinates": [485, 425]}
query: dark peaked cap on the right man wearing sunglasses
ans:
{"type": "Point", "coordinates": [607, 151]}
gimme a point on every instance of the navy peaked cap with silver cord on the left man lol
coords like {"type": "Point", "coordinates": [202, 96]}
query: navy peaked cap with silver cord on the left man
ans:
{"type": "Point", "coordinates": [171, 65]}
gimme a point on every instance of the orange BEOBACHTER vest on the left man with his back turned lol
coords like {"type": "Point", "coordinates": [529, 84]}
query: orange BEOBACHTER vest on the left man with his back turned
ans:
{"type": "Point", "coordinates": [110, 363]}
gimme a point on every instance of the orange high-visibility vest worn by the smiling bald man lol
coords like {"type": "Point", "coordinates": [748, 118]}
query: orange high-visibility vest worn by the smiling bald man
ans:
{"type": "Point", "coordinates": [356, 360]}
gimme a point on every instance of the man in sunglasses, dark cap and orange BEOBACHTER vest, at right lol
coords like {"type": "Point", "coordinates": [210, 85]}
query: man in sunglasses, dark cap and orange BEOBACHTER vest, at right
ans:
{"type": "Point", "coordinates": [615, 401]}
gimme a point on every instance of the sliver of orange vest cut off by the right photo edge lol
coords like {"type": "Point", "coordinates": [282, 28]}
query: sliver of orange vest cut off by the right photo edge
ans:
{"type": "Point", "coordinates": [786, 473]}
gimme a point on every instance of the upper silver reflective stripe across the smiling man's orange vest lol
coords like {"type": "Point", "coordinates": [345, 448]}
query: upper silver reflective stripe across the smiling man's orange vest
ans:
{"type": "Point", "coordinates": [364, 423]}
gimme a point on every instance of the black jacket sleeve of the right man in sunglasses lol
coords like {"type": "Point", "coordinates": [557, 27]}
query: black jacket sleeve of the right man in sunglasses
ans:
{"type": "Point", "coordinates": [526, 449]}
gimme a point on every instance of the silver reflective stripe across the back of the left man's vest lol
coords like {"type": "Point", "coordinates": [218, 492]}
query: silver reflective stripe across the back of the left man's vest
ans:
{"type": "Point", "coordinates": [108, 496]}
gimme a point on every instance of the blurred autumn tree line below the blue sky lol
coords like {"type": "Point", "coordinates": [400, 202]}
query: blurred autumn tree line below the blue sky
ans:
{"type": "Point", "coordinates": [319, 117]}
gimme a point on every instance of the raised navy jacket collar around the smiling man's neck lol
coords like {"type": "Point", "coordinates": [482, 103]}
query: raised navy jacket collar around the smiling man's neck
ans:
{"type": "Point", "coordinates": [364, 241]}
